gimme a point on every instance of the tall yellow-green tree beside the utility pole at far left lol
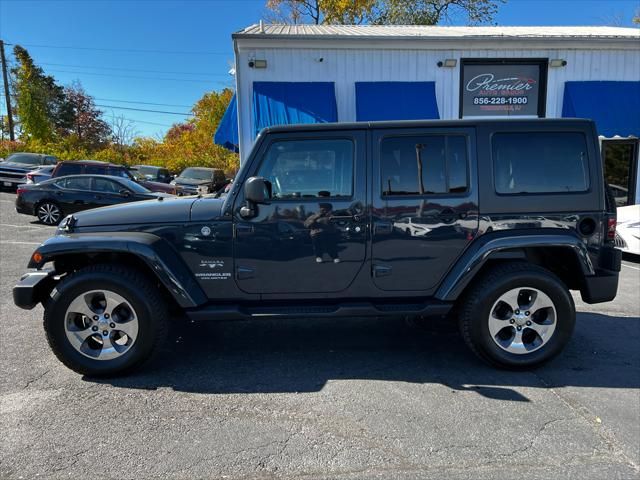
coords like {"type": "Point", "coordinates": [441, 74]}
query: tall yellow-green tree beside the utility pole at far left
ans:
{"type": "Point", "coordinates": [39, 101]}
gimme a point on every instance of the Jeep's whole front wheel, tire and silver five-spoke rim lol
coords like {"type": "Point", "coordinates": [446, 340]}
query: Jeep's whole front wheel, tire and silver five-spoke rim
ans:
{"type": "Point", "coordinates": [105, 320]}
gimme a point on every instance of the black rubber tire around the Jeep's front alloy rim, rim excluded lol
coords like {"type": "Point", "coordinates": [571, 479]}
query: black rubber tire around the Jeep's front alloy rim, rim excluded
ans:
{"type": "Point", "coordinates": [137, 289]}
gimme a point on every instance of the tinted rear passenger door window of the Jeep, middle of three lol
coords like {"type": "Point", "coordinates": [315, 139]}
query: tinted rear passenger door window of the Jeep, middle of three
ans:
{"type": "Point", "coordinates": [422, 165]}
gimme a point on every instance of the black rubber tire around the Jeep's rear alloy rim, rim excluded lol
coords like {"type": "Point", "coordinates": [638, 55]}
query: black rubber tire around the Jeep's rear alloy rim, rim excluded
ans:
{"type": "Point", "coordinates": [477, 303]}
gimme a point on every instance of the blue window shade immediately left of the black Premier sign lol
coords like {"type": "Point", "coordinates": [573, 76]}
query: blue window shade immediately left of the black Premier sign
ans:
{"type": "Point", "coordinates": [396, 101]}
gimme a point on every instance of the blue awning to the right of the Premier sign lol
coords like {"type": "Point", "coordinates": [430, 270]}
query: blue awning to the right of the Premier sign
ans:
{"type": "Point", "coordinates": [614, 106]}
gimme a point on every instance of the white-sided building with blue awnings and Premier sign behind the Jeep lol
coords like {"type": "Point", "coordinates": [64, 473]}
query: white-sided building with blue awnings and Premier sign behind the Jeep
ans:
{"type": "Point", "coordinates": [304, 73]}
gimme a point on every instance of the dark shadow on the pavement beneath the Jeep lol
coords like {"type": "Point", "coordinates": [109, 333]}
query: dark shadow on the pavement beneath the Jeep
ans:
{"type": "Point", "coordinates": [265, 356]}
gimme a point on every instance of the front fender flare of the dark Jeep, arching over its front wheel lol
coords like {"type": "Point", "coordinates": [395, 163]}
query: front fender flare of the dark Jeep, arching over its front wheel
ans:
{"type": "Point", "coordinates": [155, 252]}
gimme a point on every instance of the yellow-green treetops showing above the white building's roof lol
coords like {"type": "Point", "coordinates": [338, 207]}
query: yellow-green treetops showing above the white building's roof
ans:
{"type": "Point", "coordinates": [382, 12]}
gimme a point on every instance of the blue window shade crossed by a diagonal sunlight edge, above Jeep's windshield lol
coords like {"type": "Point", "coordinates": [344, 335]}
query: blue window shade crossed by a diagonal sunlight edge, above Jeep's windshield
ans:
{"type": "Point", "coordinates": [285, 103]}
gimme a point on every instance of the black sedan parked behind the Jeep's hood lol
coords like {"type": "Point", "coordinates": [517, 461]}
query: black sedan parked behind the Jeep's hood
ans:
{"type": "Point", "coordinates": [53, 199]}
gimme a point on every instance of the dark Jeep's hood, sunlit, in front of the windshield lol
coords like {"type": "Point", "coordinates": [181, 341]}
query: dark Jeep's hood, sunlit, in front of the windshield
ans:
{"type": "Point", "coordinates": [168, 210]}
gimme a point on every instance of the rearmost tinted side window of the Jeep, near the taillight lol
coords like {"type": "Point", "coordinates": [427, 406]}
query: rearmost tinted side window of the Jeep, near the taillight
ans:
{"type": "Point", "coordinates": [540, 162]}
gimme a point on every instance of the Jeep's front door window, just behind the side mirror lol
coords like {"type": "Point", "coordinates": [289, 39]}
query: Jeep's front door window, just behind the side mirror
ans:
{"type": "Point", "coordinates": [309, 168]}
